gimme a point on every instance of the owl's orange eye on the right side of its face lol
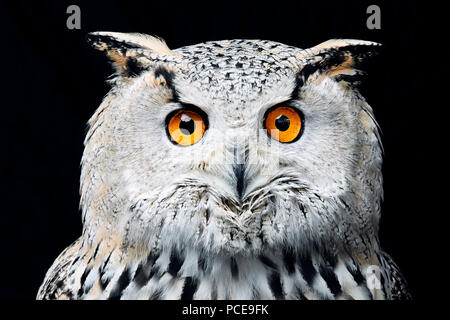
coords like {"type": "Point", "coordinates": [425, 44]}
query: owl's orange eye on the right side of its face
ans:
{"type": "Point", "coordinates": [284, 124]}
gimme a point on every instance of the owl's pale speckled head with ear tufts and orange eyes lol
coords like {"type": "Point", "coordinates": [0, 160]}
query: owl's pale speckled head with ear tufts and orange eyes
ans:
{"type": "Point", "coordinates": [232, 147]}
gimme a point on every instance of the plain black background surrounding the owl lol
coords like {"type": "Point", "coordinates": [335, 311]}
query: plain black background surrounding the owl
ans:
{"type": "Point", "coordinates": [53, 82]}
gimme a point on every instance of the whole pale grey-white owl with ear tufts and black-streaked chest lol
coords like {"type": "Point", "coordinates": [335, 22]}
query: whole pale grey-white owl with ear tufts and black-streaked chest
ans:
{"type": "Point", "coordinates": [237, 169]}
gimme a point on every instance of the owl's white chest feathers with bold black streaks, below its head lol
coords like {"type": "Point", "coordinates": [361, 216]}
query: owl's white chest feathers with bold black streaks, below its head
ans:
{"type": "Point", "coordinates": [193, 276]}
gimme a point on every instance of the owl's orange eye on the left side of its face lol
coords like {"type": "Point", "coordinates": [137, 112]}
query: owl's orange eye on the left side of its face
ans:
{"type": "Point", "coordinates": [186, 127]}
